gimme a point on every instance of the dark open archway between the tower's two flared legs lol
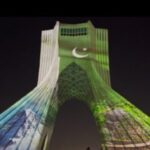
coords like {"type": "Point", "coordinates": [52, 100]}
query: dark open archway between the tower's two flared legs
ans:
{"type": "Point", "coordinates": [75, 128]}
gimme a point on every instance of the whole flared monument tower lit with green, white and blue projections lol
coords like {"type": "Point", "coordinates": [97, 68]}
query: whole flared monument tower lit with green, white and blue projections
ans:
{"type": "Point", "coordinates": [74, 64]}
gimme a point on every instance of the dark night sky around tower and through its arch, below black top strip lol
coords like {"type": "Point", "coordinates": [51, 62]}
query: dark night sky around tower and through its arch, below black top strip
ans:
{"type": "Point", "coordinates": [129, 49]}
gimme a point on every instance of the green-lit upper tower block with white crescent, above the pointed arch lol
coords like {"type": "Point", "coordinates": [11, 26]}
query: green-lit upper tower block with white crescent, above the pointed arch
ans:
{"type": "Point", "coordinates": [85, 42]}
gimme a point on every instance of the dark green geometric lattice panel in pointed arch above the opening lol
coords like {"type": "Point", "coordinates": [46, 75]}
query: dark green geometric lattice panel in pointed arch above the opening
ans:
{"type": "Point", "coordinates": [74, 80]}
